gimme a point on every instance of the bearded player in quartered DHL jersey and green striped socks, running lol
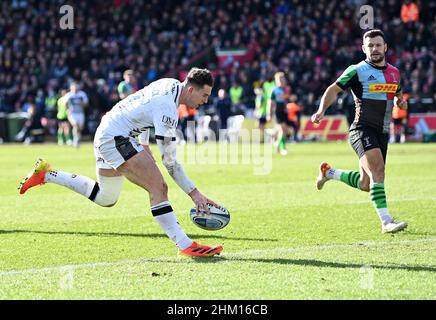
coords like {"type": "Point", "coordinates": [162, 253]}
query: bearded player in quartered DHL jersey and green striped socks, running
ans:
{"type": "Point", "coordinates": [376, 87]}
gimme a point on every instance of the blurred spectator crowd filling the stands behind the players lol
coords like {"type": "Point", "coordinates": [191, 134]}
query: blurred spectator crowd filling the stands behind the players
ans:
{"type": "Point", "coordinates": [311, 42]}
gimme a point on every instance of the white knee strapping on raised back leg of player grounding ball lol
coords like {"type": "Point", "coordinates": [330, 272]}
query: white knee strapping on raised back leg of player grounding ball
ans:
{"type": "Point", "coordinates": [106, 192]}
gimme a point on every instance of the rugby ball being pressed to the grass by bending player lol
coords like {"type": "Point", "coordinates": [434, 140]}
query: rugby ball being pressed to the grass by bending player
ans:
{"type": "Point", "coordinates": [217, 219]}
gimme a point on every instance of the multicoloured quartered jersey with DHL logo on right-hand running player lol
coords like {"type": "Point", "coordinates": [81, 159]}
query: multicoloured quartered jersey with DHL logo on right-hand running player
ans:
{"type": "Point", "coordinates": [374, 89]}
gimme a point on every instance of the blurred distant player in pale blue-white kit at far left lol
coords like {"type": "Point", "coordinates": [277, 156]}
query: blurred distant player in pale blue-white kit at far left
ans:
{"type": "Point", "coordinates": [76, 102]}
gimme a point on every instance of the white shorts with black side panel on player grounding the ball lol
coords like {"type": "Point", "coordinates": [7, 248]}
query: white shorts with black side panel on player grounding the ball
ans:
{"type": "Point", "coordinates": [112, 152]}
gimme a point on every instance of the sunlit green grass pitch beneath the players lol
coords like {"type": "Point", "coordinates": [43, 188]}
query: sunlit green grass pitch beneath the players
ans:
{"type": "Point", "coordinates": [286, 240]}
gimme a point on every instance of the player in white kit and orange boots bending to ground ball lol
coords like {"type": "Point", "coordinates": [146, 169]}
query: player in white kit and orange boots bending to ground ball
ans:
{"type": "Point", "coordinates": [119, 154]}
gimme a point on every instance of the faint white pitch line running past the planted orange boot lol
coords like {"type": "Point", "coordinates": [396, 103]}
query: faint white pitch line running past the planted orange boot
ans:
{"type": "Point", "coordinates": [229, 255]}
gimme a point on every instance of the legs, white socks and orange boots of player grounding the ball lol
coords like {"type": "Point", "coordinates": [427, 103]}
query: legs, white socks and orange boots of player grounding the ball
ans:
{"type": "Point", "coordinates": [106, 191]}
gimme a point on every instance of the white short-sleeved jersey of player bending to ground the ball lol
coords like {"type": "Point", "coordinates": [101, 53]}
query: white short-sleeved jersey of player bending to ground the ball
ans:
{"type": "Point", "coordinates": [153, 106]}
